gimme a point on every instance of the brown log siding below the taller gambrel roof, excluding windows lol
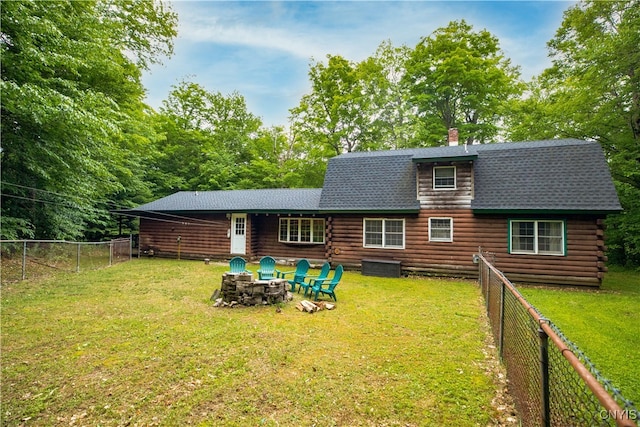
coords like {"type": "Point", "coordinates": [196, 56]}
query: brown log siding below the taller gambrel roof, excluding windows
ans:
{"type": "Point", "coordinates": [582, 264]}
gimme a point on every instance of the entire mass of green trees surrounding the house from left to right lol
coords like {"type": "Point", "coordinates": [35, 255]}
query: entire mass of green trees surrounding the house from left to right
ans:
{"type": "Point", "coordinates": [77, 141]}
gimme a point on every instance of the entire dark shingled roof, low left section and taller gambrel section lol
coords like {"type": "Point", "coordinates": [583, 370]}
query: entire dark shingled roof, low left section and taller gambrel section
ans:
{"type": "Point", "coordinates": [566, 175]}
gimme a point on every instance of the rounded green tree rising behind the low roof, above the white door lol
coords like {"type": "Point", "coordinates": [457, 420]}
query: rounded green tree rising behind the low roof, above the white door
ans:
{"type": "Point", "coordinates": [207, 140]}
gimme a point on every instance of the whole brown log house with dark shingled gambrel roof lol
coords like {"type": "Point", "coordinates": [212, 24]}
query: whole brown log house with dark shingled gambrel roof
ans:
{"type": "Point", "coordinates": [538, 207]}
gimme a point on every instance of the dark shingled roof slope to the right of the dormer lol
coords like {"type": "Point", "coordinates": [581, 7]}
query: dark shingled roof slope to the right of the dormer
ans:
{"type": "Point", "coordinates": [565, 175]}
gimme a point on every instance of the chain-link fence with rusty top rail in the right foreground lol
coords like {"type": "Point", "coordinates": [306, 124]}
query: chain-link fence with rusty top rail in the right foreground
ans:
{"type": "Point", "coordinates": [551, 380]}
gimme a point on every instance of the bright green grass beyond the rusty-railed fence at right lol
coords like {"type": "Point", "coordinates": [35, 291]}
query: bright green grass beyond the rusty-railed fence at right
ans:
{"type": "Point", "coordinates": [604, 324]}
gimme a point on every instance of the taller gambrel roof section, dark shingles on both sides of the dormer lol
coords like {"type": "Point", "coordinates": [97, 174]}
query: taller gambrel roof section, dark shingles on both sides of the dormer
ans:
{"type": "Point", "coordinates": [549, 175]}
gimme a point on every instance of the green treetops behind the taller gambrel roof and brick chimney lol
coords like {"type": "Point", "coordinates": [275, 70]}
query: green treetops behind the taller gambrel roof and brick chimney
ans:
{"type": "Point", "coordinates": [401, 98]}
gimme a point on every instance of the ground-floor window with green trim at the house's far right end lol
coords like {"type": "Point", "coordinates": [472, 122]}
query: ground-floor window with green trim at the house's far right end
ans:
{"type": "Point", "coordinates": [537, 237]}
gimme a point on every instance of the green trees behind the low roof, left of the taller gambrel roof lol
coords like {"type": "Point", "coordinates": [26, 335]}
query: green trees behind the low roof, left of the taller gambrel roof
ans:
{"type": "Point", "coordinates": [212, 142]}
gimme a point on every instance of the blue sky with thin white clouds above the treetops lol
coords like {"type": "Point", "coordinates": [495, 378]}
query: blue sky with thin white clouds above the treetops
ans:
{"type": "Point", "coordinates": [262, 49]}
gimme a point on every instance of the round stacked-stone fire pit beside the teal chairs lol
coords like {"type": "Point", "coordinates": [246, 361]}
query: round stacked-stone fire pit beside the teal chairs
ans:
{"type": "Point", "coordinates": [242, 289]}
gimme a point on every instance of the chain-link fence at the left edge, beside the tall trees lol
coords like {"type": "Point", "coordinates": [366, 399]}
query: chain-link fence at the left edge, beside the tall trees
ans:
{"type": "Point", "coordinates": [30, 259]}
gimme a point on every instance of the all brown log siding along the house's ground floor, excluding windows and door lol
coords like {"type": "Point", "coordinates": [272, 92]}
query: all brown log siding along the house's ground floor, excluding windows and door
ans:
{"type": "Point", "coordinates": [583, 263]}
